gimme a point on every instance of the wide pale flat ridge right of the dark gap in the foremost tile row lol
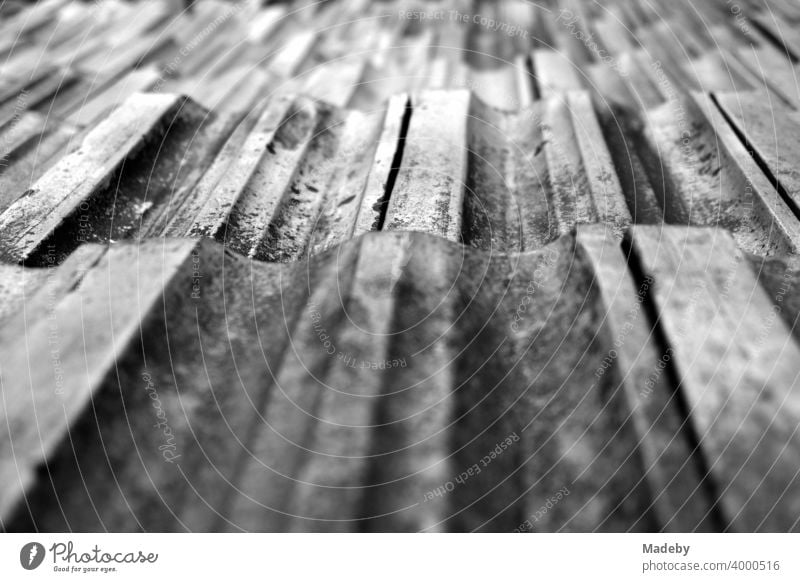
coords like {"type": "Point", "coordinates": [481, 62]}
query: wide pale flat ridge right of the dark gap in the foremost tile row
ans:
{"type": "Point", "coordinates": [737, 365]}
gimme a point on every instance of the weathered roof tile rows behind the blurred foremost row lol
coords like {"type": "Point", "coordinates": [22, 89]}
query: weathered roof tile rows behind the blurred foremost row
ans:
{"type": "Point", "coordinates": [537, 147]}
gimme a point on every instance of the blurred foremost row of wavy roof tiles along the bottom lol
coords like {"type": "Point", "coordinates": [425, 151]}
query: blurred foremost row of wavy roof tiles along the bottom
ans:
{"type": "Point", "coordinates": [344, 419]}
